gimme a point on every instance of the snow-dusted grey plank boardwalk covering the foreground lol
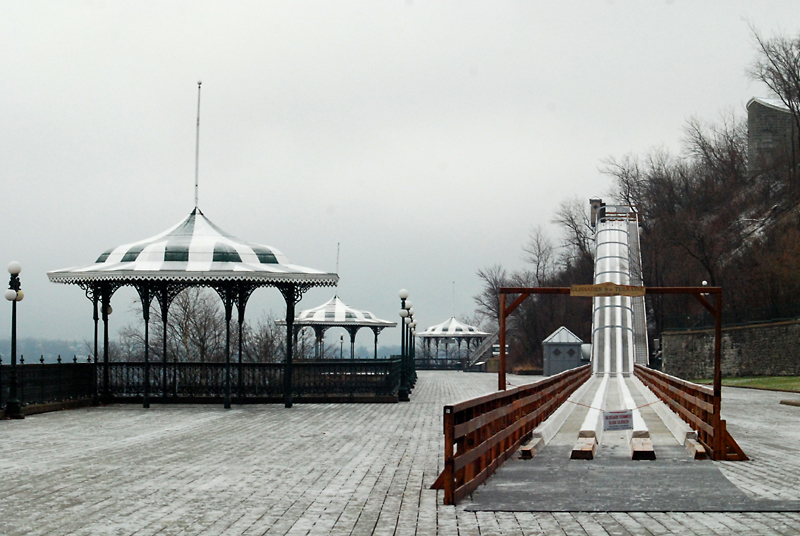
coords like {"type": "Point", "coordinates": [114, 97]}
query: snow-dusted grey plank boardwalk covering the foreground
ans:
{"type": "Point", "coordinates": [324, 469]}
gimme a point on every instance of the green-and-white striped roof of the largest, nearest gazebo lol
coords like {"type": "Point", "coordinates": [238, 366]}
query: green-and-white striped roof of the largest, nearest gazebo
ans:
{"type": "Point", "coordinates": [194, 249]}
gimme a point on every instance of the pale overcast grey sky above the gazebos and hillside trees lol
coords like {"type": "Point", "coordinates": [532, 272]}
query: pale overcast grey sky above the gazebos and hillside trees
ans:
{"type": "Point", "coordinates": [427, 138]}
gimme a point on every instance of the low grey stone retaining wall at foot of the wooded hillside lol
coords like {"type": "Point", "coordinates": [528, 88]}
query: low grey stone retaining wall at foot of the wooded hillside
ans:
{"type": "Point", "coordinates": [755, 350]}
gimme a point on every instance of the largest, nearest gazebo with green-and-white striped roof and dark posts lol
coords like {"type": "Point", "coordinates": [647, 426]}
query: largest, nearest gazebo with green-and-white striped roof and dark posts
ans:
{"type": "Point", "coordinates": [193, 253]}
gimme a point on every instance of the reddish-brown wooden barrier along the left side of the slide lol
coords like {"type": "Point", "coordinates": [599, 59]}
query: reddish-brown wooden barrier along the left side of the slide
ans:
{"type": "Point", "coordinates": [480, 434]}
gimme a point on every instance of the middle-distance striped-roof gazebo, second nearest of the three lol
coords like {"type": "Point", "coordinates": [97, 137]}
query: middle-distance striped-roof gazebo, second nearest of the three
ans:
{"type": "Point", "coordinates": [336, 313]}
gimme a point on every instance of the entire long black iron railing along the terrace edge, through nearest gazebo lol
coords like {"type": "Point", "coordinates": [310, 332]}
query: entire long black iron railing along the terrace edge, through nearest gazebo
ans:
{"type": "Point", "coordinates": [39, 383]}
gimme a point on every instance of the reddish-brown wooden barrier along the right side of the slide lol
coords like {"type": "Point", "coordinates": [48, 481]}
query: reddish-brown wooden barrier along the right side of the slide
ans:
{"type": "Point", "coordinates": [696, 405]}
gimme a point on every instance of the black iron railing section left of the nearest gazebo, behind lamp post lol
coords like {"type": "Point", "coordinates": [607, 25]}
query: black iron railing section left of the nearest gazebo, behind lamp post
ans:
{"type": "Point", "coordinates": [41, 383]}
